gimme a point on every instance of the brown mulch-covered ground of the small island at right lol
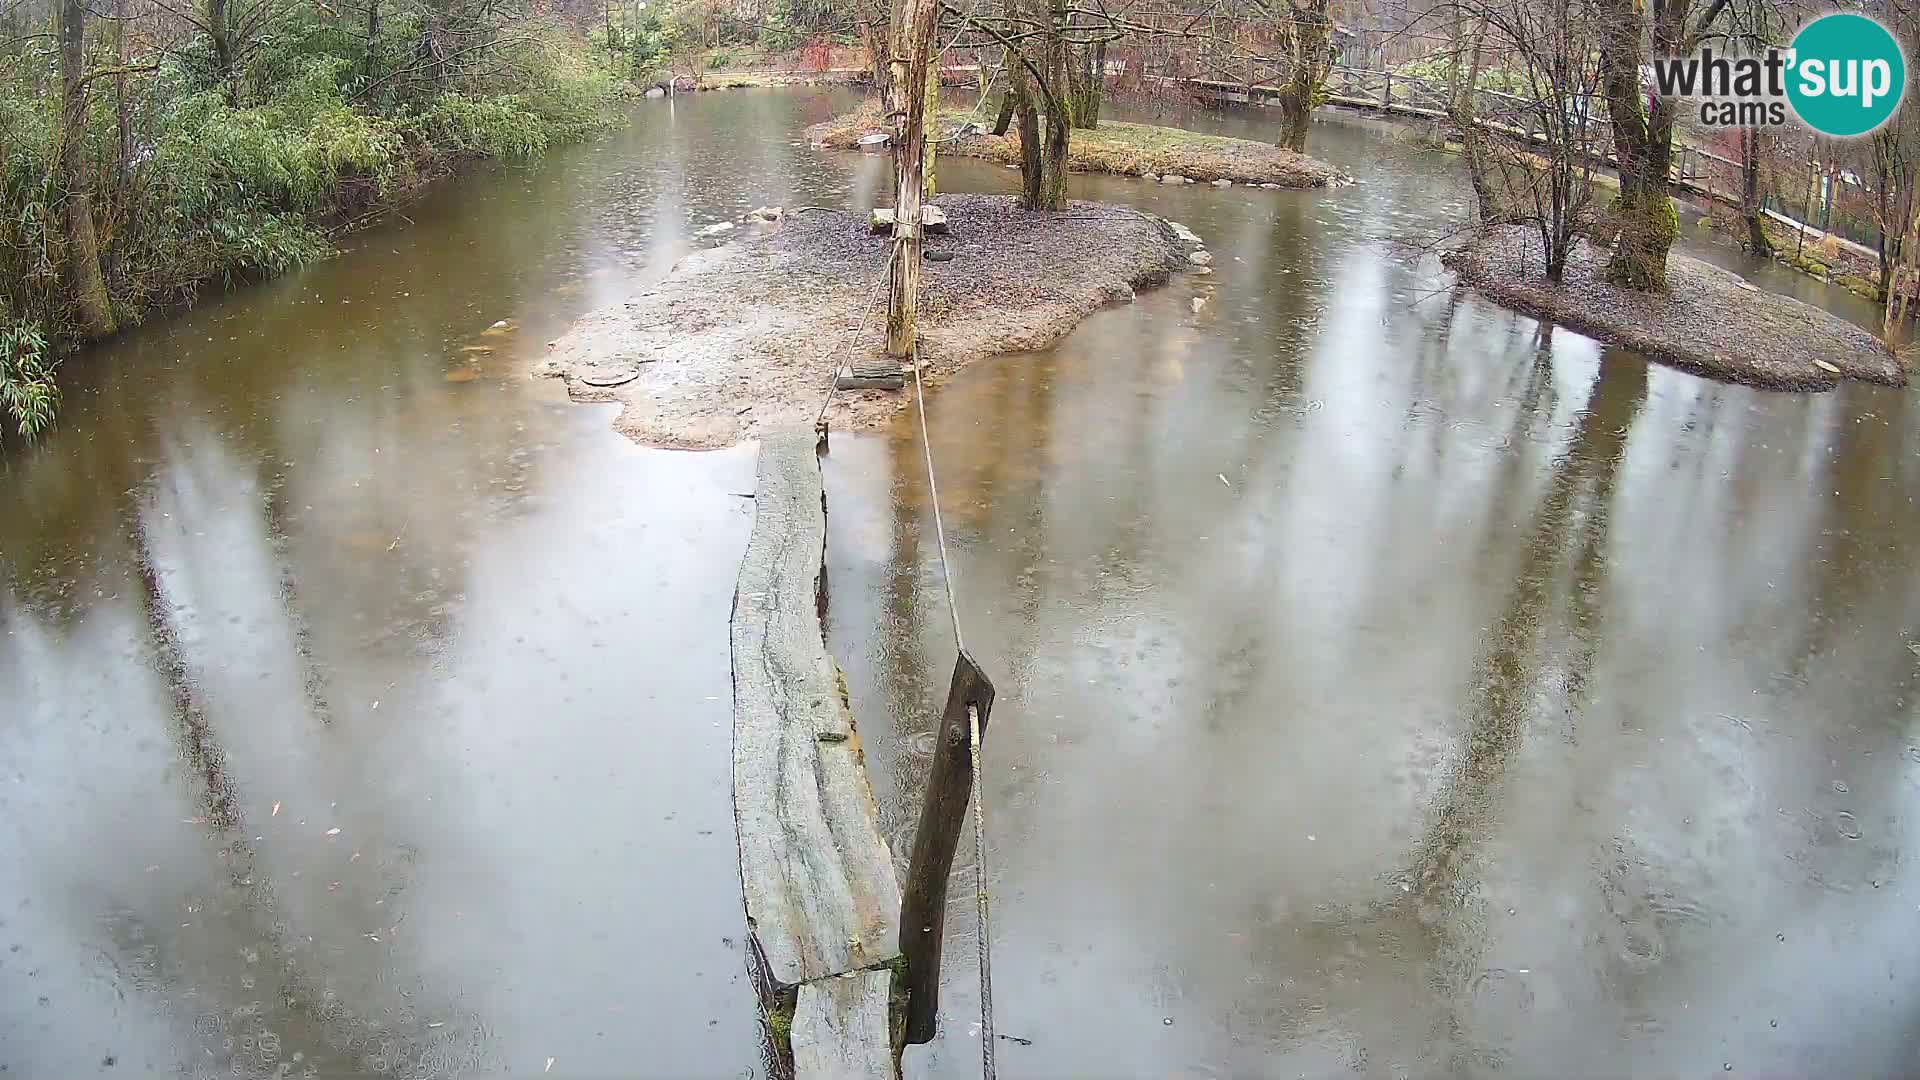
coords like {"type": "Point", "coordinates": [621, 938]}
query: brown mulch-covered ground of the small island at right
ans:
{"type": "Point", "coordinates": [1710, 322]}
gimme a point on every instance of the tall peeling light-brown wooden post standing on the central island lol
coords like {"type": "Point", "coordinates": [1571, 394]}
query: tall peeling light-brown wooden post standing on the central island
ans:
{"type": "Point", "coordinates": [909, 109]}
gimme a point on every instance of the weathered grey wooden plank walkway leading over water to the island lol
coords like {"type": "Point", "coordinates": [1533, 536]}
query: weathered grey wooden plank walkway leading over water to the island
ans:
{"type": "Point", "coordinates": [823, 898]}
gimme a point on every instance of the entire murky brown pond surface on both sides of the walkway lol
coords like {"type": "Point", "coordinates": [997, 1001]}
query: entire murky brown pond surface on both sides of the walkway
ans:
{"type": "Point", "coordinates": [1387, 687]}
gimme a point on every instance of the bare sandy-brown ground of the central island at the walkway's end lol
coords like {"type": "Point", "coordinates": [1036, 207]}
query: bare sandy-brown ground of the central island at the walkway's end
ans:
{"type": "Point", "coordinates": [746, 337]}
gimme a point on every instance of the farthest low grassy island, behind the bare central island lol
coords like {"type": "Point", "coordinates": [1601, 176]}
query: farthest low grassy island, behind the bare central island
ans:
{"type": "Point", "coordinates": [1128, 149]}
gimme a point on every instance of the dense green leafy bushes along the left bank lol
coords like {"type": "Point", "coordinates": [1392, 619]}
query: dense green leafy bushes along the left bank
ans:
{"type": "Point", "coordinates": [216, 193]}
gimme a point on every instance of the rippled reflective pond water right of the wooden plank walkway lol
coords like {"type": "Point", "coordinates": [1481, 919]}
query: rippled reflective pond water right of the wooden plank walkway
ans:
{"type": "Point", "coordinates": [1393, 685]}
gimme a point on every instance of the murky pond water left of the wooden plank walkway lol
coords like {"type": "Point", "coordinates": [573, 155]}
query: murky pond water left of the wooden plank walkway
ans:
{"type": "Point", "coordinates": [368, 708]}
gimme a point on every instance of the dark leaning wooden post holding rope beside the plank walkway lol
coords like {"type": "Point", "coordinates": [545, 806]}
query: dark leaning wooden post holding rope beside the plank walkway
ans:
{"type": "Point", "coordinates": [942, 816]}
